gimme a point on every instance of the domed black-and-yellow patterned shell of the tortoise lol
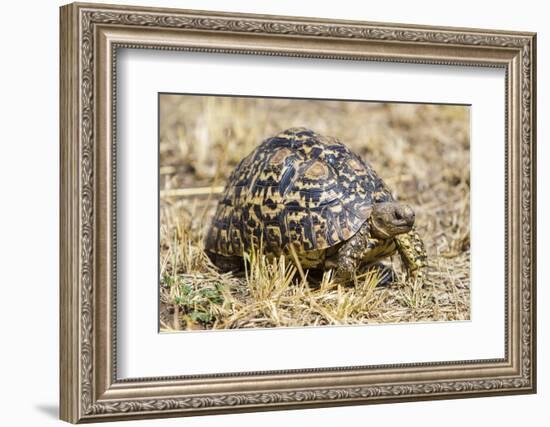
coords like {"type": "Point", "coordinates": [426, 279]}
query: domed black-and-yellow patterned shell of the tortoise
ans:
{"type": "Point", "coordinates": [298, 188]}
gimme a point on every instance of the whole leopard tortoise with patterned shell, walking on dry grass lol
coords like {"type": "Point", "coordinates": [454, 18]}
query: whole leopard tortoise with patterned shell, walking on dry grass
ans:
{"type": "Point", "coordinates": [305, 195]}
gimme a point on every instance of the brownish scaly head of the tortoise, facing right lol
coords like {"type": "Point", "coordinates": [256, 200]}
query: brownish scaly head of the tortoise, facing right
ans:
{"type": "Point", "coordinates": [390, 219]}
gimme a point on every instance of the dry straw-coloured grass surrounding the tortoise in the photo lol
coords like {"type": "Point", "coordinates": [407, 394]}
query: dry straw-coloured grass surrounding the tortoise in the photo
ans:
{"type": "Point", "coordinates": [421, 151]}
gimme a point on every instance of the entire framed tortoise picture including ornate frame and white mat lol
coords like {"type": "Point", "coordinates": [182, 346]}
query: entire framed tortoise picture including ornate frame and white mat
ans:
{"type": "Point", "coordinates": [267, 212]}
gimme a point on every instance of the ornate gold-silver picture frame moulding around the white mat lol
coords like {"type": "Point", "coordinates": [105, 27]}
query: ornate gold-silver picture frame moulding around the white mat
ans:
{"type": "Point", "coordinates": [90, 36]}
